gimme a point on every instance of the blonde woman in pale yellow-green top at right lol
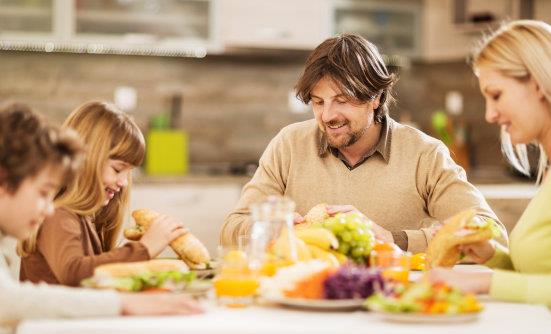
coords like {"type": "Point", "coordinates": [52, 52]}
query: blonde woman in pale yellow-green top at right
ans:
{"type": "Point", "coordinates": [514, 72]}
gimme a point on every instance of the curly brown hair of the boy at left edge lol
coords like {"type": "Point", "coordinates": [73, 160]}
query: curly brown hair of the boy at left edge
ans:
{"type": "Point", "coordinates": [28, 144]}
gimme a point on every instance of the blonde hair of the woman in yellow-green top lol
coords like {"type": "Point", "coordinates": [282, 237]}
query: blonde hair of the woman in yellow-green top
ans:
{"type": "Point", "coordinates": [520, 50]}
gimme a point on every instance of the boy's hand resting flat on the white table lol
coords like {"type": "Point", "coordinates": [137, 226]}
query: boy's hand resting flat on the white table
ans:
{"type": "Point", "coordinates": [158, 304]}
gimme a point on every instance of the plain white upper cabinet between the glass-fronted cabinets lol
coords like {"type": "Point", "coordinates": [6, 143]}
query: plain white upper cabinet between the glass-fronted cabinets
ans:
{"type": "Point", "coordinates": [283, 24]}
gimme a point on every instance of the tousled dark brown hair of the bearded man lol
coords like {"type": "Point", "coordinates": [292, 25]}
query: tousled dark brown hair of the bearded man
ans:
{"type": "Point", "coordinates": [356, 67]}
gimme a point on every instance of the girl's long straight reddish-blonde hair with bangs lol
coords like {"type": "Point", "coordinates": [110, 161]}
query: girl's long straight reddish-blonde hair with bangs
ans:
{"type": "Point", "coordinates": [108, 134]}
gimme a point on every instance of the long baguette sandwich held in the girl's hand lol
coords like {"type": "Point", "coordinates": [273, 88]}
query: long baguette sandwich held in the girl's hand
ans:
{"type": "Point", "coordinates": [187, 246]}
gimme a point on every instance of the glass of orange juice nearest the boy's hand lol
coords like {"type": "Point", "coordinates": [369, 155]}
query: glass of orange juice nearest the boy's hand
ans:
{"type": "Point", "coordinates": [236, 282]}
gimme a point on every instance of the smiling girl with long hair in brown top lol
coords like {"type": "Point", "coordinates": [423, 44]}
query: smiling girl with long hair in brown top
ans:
{"type": "Point", "coordinates": [83, 232]}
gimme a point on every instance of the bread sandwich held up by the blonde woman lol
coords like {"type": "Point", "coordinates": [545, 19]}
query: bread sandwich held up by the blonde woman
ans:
{"type": "Point", "coordinates": [443, 250]}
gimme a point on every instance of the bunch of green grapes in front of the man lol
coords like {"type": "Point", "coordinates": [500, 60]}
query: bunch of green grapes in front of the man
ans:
{"type": "Point", "coordinates": [356, 240]}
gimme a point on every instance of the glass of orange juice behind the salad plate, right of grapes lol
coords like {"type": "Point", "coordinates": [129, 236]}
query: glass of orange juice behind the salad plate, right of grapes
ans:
{"type": "Point", "coordinates": [394, 266]}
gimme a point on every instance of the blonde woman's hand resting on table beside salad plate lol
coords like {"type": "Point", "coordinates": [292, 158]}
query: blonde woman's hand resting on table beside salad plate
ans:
{"type": "Point", "coordinates": [466, 281]}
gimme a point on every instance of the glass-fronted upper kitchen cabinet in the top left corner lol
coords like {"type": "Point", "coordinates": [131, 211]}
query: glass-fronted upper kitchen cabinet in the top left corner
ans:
{"type": "Point", "coordinates": [143, 27]}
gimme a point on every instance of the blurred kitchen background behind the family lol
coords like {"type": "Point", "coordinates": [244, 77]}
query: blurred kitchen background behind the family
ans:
{"type": "Point", "coordinates": [210, 82]}
